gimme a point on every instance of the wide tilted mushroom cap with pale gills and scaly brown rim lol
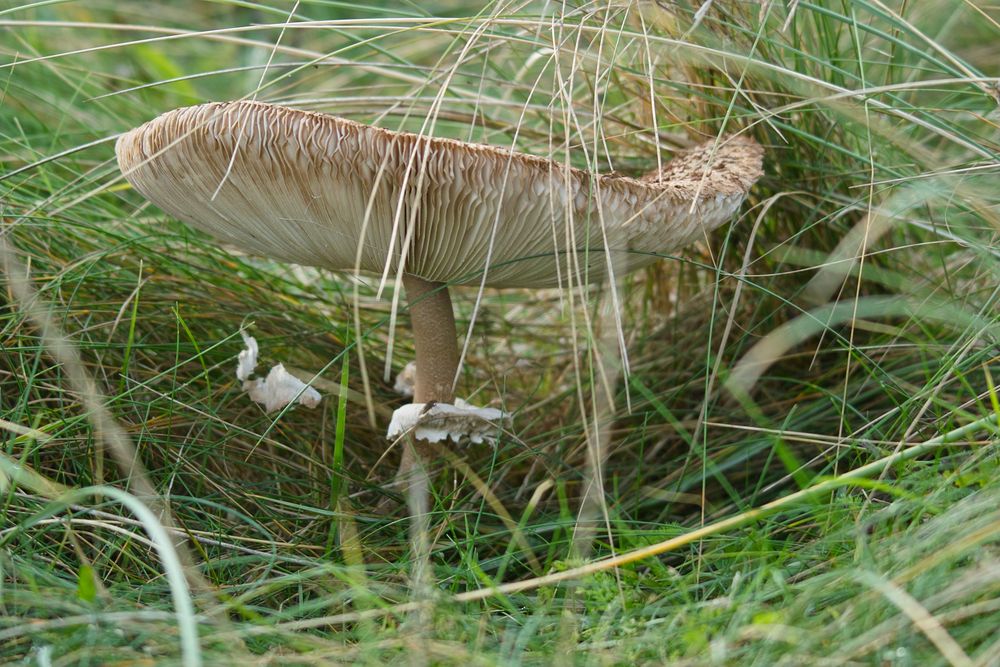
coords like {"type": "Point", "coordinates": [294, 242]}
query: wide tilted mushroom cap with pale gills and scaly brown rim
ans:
{"type": "Point", "coordinates": [325, 191]}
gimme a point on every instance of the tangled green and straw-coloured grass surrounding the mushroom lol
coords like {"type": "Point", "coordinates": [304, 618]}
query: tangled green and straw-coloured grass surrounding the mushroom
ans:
{"type": "Point", "coordinates": [863, 276]}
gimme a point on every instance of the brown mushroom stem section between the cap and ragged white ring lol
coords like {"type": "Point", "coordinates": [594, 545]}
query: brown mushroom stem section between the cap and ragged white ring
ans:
{"type": "Point", "coordinates": [434, 339]}
